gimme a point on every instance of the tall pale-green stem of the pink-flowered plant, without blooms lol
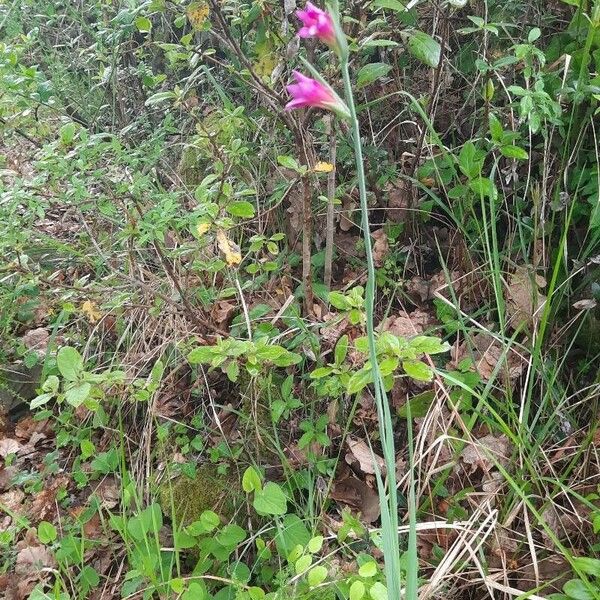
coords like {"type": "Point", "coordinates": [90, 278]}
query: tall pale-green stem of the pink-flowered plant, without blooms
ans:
{"type": "Point", "coordinates": [387, 490]}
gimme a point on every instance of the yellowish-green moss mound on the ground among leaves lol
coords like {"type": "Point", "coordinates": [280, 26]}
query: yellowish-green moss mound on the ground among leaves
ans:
{"type": "Point", "coordinates": [189, 498]}
